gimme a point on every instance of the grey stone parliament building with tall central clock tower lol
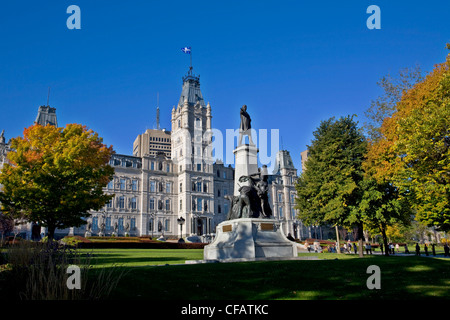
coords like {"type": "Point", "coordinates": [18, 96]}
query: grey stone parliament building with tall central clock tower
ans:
{"type": "Point", "coordinates": [170, 176]}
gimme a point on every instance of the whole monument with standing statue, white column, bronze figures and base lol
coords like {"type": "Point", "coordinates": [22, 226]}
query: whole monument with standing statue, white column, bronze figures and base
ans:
{"type": "Point", "coordinates": [250, 231]}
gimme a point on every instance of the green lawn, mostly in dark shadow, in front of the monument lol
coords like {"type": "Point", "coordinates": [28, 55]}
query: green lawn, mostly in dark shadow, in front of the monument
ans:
{"type": "Point", "coordinates": [332, 277]}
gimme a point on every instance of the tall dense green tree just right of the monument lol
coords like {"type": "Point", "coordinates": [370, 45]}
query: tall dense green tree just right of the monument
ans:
{"type": "Point", "coordinates": [328, 191]}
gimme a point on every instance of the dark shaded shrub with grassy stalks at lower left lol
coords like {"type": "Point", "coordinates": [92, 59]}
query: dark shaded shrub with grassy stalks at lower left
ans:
{"type": "Point", "coordinates": [39, 272]}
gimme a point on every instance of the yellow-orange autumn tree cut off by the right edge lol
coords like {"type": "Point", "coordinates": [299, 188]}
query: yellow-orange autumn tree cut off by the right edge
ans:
{"type": "Point", "coordinates": [413, 151]}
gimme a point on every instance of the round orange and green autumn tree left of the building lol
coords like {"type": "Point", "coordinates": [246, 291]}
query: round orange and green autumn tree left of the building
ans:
{"type": "Point", "coordinates": [56, 175]}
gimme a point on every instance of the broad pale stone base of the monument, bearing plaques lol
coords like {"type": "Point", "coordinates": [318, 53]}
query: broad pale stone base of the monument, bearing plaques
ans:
{"type": "Point", "coordinates": [250, 238]}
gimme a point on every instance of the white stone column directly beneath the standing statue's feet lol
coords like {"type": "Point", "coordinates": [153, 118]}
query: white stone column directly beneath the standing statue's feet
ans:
{"type": "Point", "coordinates": [246, 164]}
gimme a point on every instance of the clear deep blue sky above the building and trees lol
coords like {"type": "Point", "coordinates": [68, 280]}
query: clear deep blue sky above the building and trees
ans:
{"type": "Point", "coordinates": [293, 63]}
